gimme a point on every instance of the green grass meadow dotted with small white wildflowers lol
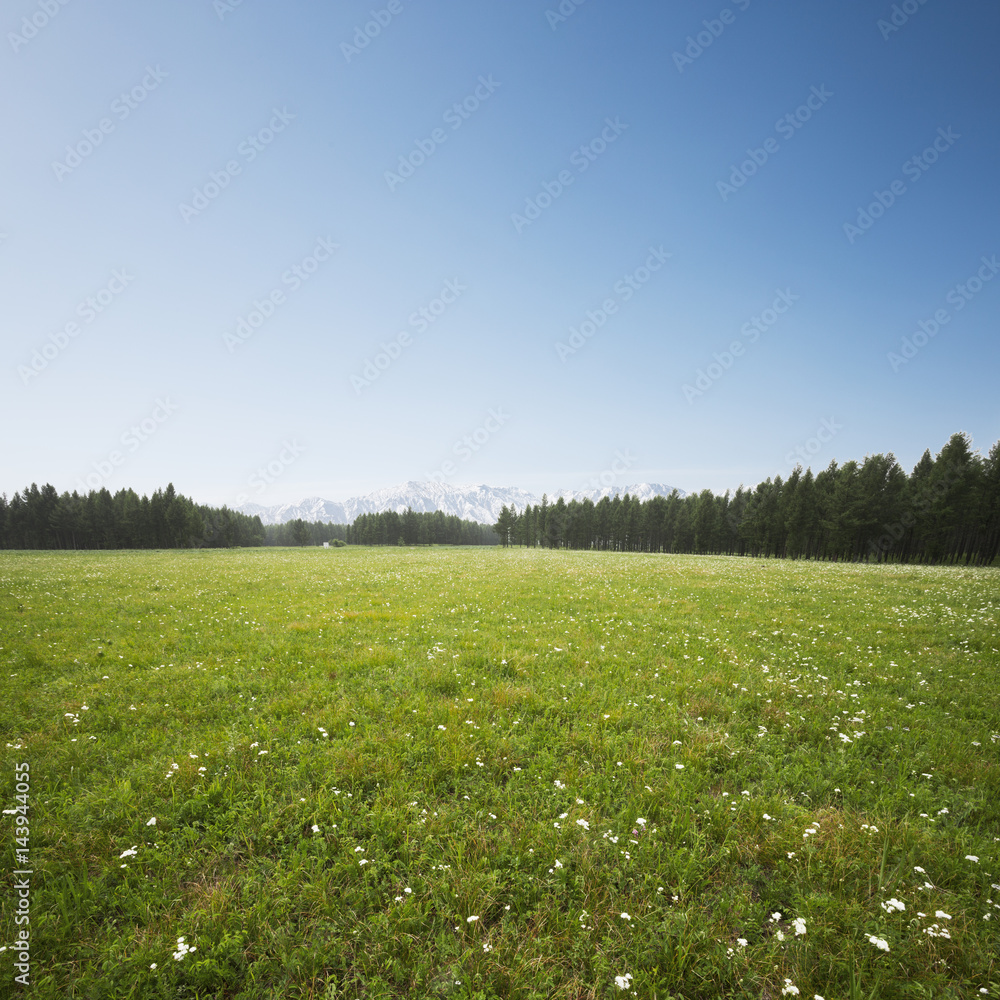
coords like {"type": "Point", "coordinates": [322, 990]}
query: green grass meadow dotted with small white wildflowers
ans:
{"type": "Point", "coordinates": [487, 773]}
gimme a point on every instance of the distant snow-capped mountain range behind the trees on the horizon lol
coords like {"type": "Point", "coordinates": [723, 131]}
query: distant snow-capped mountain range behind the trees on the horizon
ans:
{"type": "Point", "coordinates": [471, 503]}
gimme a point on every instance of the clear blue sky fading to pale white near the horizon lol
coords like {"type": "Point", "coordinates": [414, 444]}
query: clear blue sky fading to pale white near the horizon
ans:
{"type": "Point", "coordinates": [271, 251]}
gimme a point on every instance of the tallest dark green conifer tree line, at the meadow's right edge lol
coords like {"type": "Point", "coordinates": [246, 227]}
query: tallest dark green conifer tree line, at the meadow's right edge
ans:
{"type": "Point", "coordinates": [946, 511]}
